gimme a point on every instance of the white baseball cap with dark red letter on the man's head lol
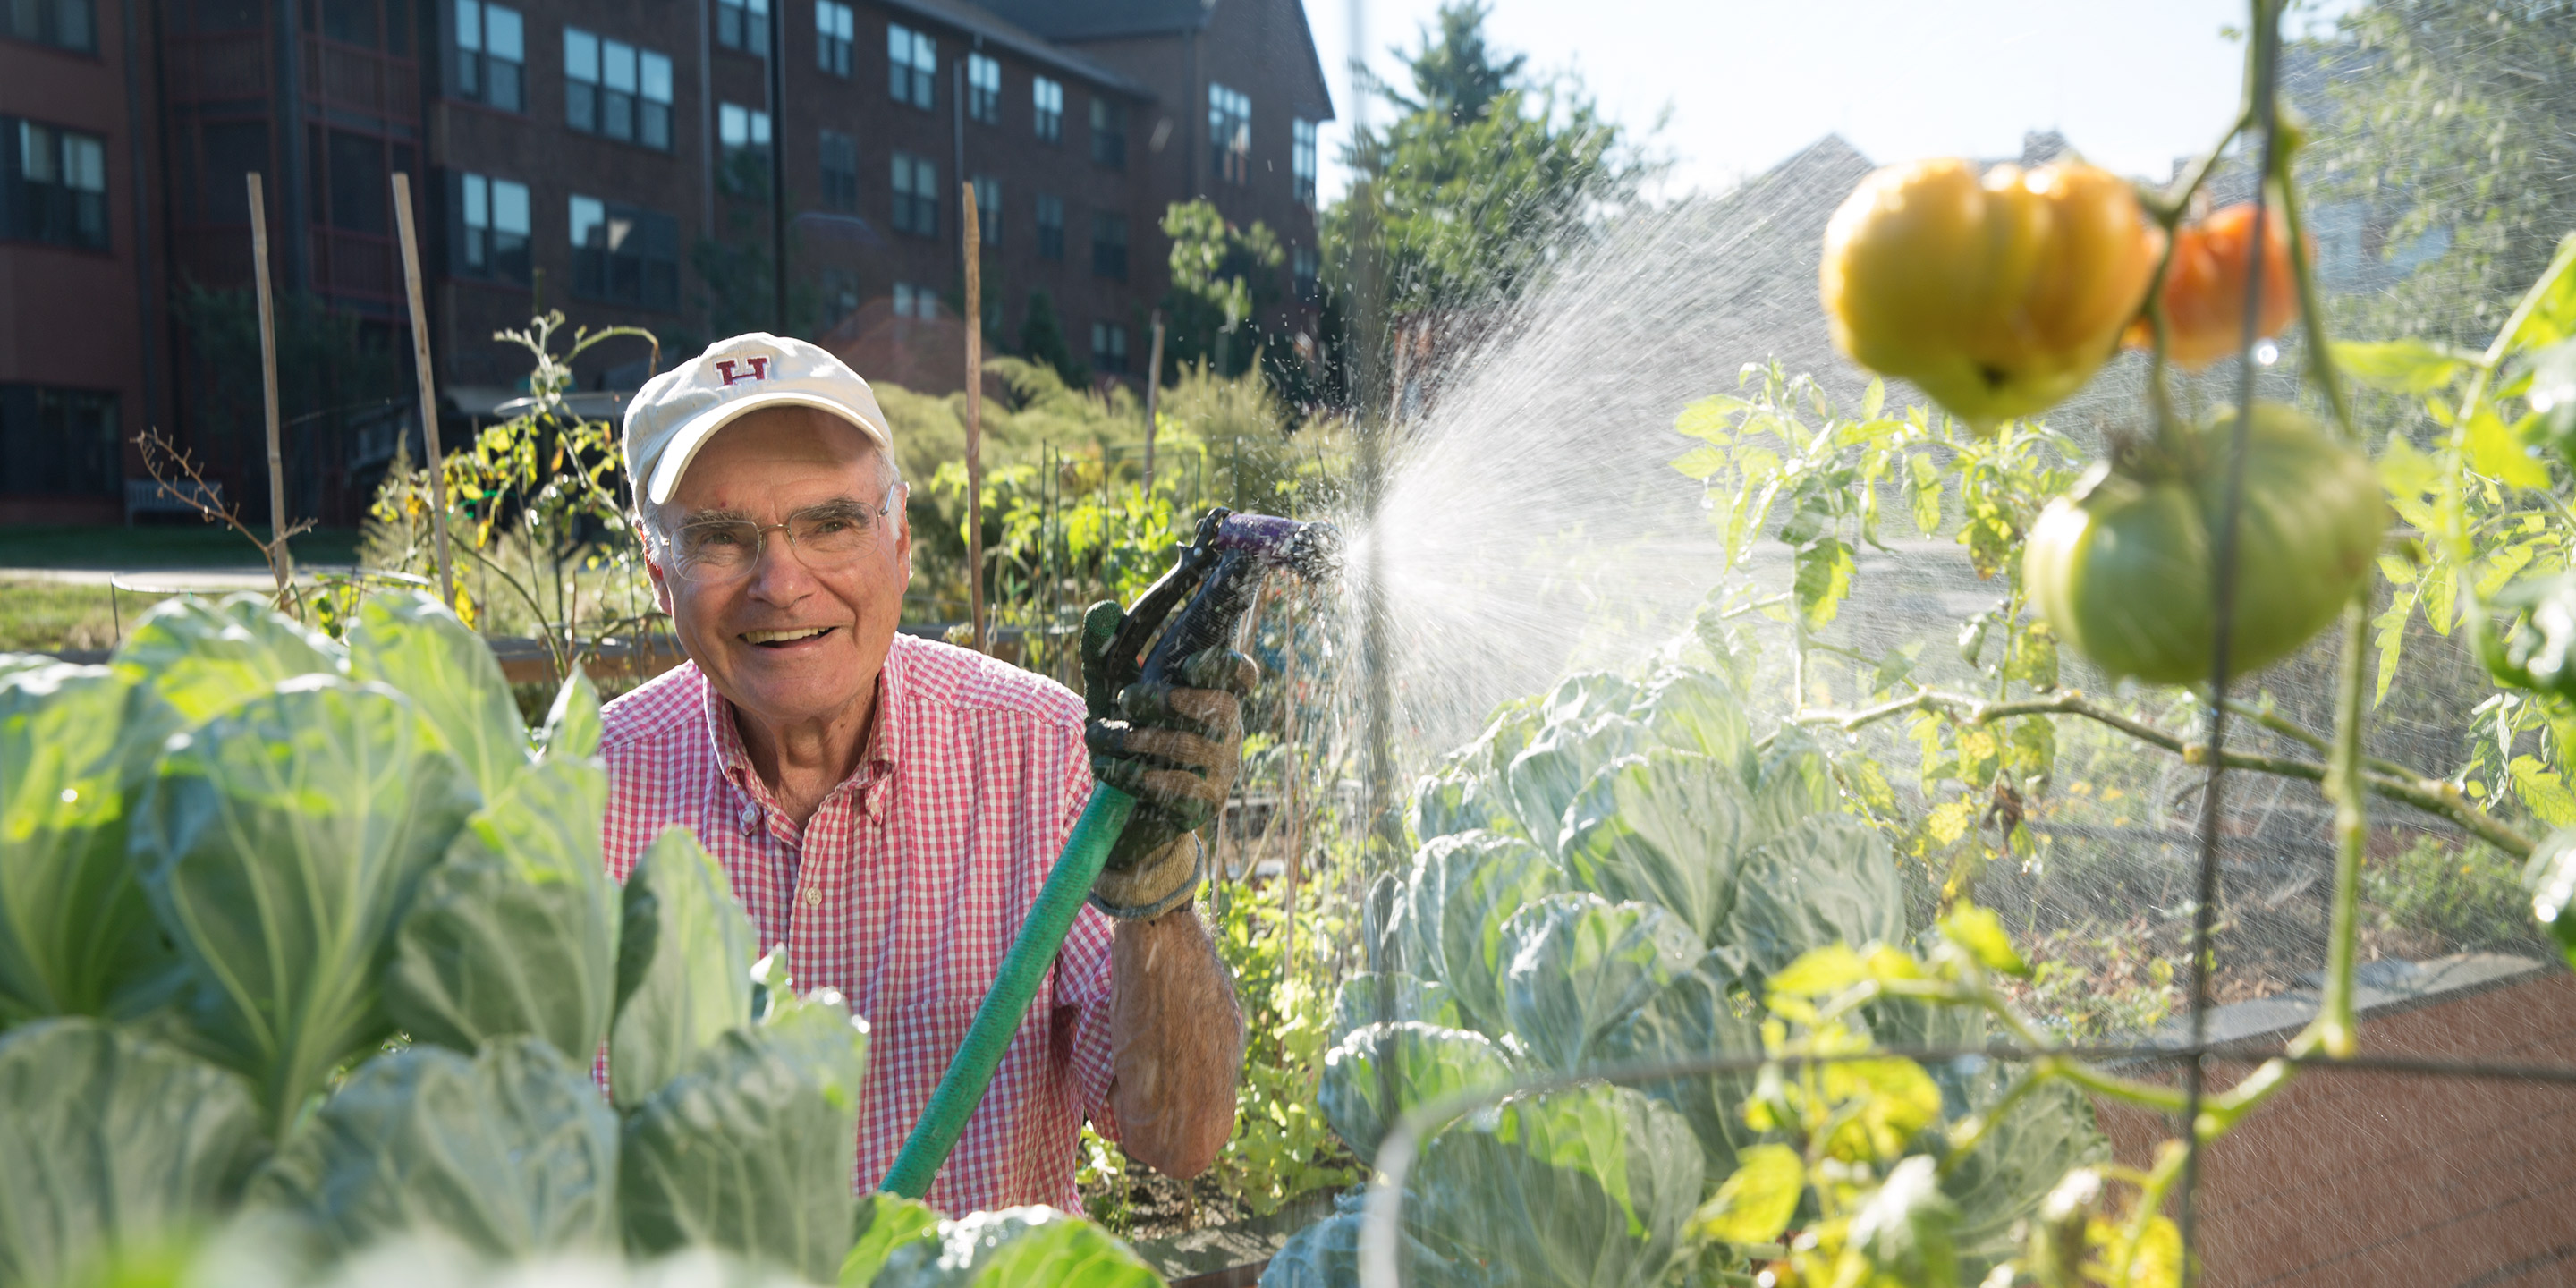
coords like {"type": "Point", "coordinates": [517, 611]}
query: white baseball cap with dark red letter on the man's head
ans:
{"type": "Point", "coordinates": [679, 411]}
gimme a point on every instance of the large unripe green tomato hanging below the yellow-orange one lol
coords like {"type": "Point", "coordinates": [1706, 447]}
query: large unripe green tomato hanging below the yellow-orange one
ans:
{"type": "Point", "coordinates": [2124, 565]}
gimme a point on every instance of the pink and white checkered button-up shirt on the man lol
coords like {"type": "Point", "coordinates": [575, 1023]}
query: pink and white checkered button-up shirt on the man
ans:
{"type": "Point", "coordinates": [905, 890]}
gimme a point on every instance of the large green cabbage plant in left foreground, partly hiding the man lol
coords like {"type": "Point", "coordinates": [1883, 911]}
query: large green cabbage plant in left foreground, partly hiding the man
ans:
{"type": "Point", "coordinates": [305, 962]}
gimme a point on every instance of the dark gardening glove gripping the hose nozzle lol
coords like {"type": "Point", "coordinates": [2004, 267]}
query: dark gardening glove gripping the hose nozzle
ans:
{"type": "Point", "coordinates": [1176, 751]}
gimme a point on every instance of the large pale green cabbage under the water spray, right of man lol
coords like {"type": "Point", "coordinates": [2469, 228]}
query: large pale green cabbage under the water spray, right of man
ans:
{"type": "Point", "coordinates": [1616, 875]}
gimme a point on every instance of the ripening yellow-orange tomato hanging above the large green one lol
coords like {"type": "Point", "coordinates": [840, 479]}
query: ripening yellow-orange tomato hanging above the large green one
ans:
{"type": "Point", "coordinates": [1998, 292]}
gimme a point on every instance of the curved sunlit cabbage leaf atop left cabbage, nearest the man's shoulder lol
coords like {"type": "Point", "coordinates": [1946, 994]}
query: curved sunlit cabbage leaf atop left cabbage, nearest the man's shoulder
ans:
{"type": "Point", "coordinates": [416, 645]}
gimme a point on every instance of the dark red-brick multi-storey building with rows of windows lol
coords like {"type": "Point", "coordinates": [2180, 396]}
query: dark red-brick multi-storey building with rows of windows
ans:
{"type": "Point", "coordinates": [601, 158]}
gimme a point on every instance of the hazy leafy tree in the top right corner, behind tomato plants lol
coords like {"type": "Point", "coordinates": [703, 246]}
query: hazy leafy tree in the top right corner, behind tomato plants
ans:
{"type": "Point", "coordinates": [2459, 120]}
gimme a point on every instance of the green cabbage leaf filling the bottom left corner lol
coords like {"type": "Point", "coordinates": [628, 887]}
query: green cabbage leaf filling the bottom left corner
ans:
{"type": "Point", "coordinates": [109, 1142]}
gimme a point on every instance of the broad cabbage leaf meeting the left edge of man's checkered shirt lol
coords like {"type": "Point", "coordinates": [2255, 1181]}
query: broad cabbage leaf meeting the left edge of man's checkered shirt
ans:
{"type": "Point", "coordinates": [519, 929]}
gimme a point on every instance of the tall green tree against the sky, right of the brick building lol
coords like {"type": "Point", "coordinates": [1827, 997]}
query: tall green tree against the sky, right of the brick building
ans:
{"type": "Point", "coordinates": [1485, 174]}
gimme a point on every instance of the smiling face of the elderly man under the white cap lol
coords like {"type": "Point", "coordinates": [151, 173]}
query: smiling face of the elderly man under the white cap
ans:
{"type": "Point", "coordinates": [787, 643]}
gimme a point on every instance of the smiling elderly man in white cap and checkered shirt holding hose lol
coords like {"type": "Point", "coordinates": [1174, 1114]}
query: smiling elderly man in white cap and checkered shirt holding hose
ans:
{"type": "Point", "coordinates": [887, 808]}
